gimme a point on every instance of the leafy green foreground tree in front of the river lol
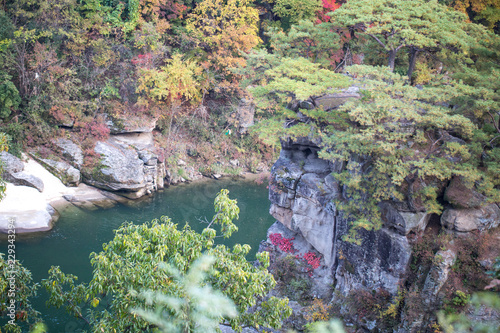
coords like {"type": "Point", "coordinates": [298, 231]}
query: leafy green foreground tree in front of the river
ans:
{"type": "Point", "coordinates": [132, 262]}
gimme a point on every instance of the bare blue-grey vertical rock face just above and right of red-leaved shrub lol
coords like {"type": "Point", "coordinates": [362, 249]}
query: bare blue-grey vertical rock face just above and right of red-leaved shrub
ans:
{"type": "Point", "coordinates": [302, 194]}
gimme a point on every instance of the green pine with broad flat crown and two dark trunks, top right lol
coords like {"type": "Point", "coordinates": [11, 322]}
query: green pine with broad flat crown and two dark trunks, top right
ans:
{"type": "Point", "coordinates": [414, 26]}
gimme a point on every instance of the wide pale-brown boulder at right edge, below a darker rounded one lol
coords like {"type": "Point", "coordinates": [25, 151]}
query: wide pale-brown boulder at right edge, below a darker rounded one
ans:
{"type": "Point", "coordinates": [466, 220]}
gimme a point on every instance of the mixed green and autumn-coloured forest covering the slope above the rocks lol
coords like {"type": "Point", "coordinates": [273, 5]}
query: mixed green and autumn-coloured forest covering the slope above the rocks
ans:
{"type": "Point", "coordinates": [82, 69]}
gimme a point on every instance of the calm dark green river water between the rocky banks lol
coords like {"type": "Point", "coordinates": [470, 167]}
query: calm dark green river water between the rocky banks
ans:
{"type": "Point", "coordinates": [78, 232]}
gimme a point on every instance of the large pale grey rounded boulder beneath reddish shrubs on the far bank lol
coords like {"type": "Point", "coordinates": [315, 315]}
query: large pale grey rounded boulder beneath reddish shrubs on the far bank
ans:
{"type": "Point", "coordinates": [120, 169]}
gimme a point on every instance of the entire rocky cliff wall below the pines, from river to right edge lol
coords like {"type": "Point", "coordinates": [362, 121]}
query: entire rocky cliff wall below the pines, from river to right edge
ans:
{"type": "Point", "coordinates": [304, 194]}
